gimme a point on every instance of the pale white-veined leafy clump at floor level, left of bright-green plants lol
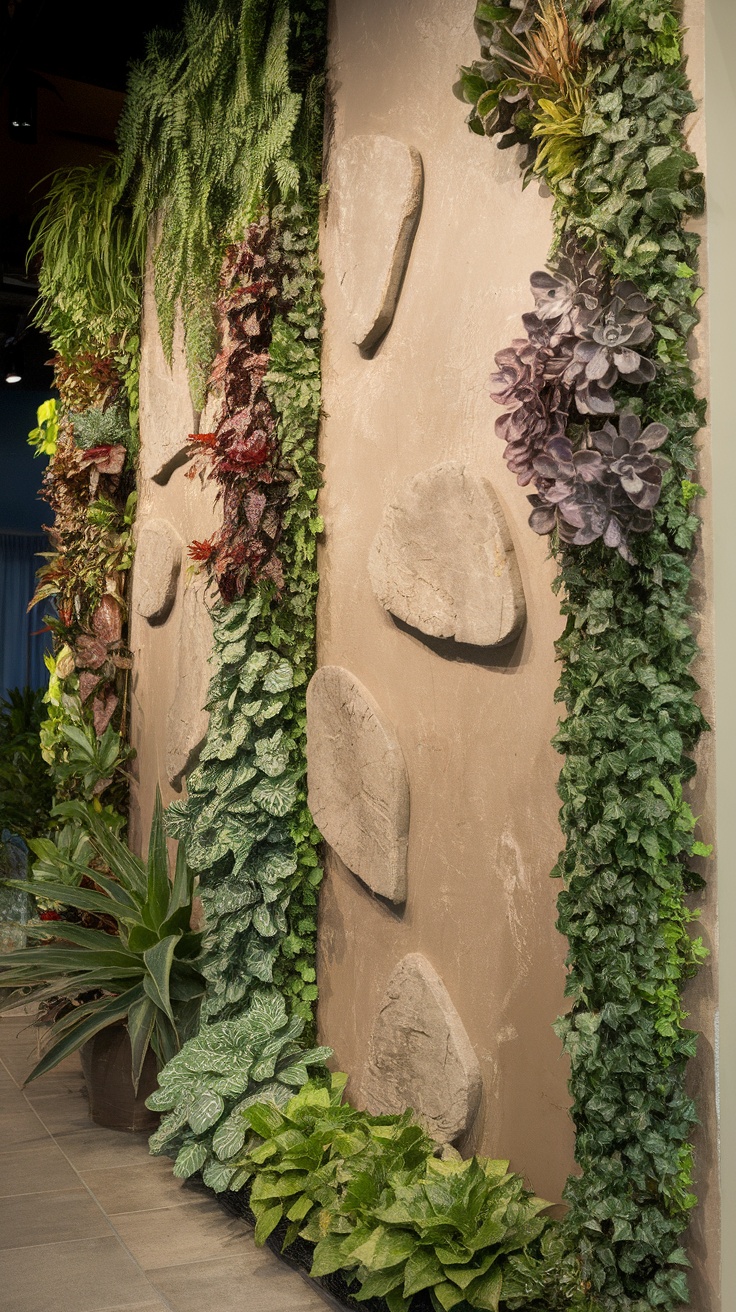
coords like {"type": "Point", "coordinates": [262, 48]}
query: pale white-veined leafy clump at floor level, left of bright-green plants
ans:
{"type": "Point", "coordinates": [209, 1087]}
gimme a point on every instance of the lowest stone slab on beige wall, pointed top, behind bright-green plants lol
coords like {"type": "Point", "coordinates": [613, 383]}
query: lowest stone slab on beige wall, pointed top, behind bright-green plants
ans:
{"type": "Point", "coordinates": [420, 1056]}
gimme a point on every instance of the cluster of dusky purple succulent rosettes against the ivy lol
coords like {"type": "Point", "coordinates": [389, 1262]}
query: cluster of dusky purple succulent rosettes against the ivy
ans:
{"type": "Point", "coordinates": [582, 340]}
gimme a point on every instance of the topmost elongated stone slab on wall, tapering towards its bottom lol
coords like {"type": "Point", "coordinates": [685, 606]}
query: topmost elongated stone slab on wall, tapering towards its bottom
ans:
{"type": "Point", "coordinates": [375, 204]}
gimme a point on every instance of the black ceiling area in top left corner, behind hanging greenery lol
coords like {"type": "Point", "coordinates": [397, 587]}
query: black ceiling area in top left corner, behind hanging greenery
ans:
{"type": "Point", "coordinates": [64, 70]}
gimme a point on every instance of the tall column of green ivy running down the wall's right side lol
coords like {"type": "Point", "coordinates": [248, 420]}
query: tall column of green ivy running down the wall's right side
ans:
{"type": "Point", "coordinates": [624, 197]}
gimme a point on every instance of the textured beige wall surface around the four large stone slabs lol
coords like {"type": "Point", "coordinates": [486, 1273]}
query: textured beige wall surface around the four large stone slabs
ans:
{"type": "Point", "coordinates": [476, 734]}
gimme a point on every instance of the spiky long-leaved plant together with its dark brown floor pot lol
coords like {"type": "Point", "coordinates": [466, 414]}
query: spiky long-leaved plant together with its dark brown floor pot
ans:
{"type": "Point", "coordinates": [131, 1002]}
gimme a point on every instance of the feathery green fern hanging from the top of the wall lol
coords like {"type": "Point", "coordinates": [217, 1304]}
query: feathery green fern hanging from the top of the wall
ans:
{"type": "Point", "coordinates": [213, 132]}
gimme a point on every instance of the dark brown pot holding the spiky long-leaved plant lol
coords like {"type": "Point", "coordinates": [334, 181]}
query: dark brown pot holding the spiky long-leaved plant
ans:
{"type": "Point", "coordinates": [106, 1063]}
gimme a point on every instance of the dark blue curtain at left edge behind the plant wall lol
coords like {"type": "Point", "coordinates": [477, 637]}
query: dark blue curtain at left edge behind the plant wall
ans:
{"type": "Point", "coordinates": [22, 646]}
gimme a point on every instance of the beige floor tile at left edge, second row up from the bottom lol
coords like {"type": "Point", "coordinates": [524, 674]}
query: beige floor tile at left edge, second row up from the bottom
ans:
{"type": "Point", "coordinates": [51, 1220]}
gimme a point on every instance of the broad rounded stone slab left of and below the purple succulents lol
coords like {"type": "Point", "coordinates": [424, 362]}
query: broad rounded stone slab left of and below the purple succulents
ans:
{"type": "Point", "coordinates": [444, 560]}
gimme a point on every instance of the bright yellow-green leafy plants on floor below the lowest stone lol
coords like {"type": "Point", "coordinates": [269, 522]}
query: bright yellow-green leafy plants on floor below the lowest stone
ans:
{"type": "Point", "coordinates": [377, 1202]}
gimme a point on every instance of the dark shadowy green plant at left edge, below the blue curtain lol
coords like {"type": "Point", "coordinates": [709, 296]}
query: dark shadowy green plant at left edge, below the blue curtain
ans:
{"type": "Point", "coordinates": [26, 781]}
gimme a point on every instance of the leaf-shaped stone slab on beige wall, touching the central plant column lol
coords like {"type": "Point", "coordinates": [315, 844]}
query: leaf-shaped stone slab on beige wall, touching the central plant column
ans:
{"type": "Point", "coordinates": [358, 781]}
